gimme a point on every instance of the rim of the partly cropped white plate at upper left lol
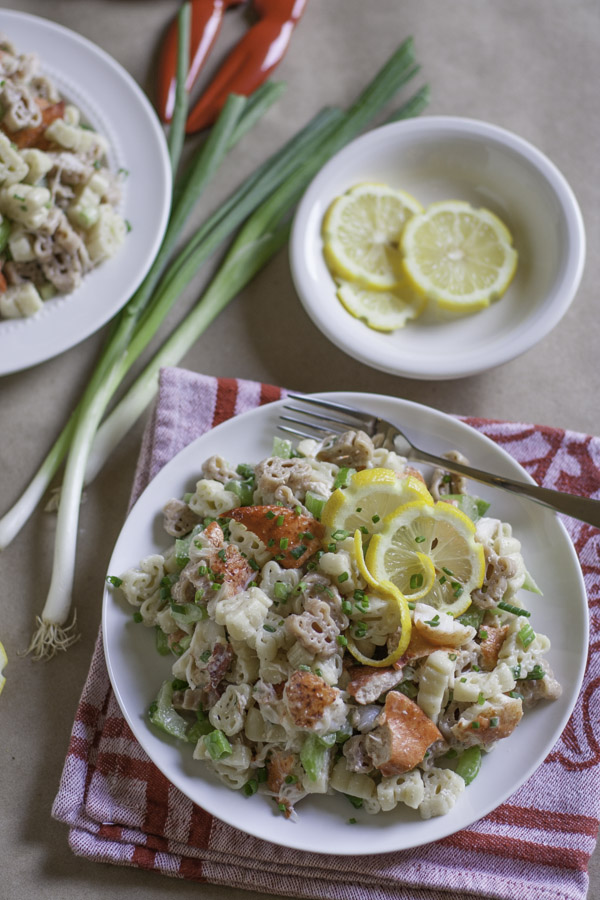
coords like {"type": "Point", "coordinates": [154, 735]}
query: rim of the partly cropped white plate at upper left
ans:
{"type": "Point", "coordinates": [35, 348]}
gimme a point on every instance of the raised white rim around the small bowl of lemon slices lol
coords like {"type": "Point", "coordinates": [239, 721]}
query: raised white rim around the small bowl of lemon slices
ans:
{"type": "Point", "coordinates": [514, 344]}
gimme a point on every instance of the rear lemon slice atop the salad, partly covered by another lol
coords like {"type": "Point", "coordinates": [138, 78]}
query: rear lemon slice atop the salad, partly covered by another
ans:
{"type": "Point", "coordinates": [371, 496]}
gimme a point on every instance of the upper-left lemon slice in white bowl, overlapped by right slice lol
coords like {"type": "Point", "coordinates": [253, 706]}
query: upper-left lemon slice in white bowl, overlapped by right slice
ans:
{"type": "Point", "coordinates": [361, 232]}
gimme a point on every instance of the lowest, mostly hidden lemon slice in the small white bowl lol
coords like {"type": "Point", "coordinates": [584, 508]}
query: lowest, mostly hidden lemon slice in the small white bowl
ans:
{"type": "Point", "coordinates": [382, 310]}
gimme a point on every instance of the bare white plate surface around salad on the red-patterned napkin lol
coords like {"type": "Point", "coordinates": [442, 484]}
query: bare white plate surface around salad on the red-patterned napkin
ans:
{"type": "Point", "coordinates": [137, 671]}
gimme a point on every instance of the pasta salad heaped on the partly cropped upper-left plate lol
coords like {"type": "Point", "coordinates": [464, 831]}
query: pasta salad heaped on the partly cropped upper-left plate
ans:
{"type": "Point", "coordinates": [58, 197]}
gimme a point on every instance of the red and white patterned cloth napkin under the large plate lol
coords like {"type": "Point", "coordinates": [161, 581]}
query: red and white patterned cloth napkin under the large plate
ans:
{"type": "Point", "coordinates": [120, 808]}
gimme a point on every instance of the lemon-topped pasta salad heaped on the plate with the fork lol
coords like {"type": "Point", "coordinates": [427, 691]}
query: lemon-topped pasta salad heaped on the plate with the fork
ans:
{"type": "Point", "coordinates": [298, 668]}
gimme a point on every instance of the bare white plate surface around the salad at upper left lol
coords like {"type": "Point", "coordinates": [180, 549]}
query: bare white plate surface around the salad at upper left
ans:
{"type": "Point", "coordinates": [116, 107]}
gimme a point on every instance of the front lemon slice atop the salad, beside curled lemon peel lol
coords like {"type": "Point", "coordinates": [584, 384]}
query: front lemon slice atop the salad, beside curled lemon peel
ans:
{"type": "Point", "coordinates": [447, 536]}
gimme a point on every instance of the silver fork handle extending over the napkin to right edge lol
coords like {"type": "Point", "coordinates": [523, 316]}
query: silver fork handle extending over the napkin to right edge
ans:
{"type": "Point", "coordinates": [581, 508]}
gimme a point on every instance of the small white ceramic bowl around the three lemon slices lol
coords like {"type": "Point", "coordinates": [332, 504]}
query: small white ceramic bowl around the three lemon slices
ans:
{"type": "Point", "coordinates": [448, 158]}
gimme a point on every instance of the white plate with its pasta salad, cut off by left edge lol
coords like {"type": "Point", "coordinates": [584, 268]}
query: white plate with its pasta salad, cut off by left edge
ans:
{"type": "Point", "coordinates": [79, 146]}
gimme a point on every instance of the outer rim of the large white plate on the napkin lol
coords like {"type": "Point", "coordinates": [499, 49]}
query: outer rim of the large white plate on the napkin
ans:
{"type": "Point", "coordinates": [139, 727]}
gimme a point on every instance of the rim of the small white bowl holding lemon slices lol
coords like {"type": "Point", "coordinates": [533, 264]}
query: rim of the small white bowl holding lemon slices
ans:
{"type": "Point", "coordinates": [543, 319]}
